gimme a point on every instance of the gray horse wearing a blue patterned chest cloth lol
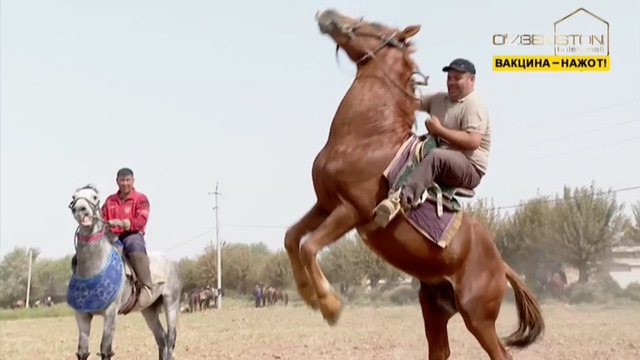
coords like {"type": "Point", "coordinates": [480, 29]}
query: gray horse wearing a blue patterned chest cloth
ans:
{"type": "Point", "coordinates": [104, 282]}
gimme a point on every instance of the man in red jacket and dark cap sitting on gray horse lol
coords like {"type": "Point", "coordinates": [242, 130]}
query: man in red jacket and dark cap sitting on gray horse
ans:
{"type": "Point", "coordinates": [127, 212]}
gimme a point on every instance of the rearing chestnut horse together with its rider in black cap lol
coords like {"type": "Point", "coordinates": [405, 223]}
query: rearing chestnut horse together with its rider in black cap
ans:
{"type": "Point", "coordinates": [372, 158]}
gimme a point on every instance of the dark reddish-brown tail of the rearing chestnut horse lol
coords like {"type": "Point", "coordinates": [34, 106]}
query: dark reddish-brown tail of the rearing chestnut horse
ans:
{"type": "Point", "coordinates": [529, 313]}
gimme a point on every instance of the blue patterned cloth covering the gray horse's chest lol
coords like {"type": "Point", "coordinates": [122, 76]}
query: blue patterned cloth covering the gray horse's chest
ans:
{"type": "Point", "coordinates": [95, 293]}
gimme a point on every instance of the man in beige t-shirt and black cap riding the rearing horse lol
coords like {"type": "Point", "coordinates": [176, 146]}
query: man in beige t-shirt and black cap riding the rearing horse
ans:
{"type": "Point", "coordinates": [460, 121]}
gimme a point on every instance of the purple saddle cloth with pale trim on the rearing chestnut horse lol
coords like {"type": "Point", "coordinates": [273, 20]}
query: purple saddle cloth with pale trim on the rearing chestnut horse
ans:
{"type": "Point", "coordinates": [438, 216]}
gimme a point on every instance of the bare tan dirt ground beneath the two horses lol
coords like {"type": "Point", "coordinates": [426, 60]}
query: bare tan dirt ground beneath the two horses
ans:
{"type": "Point", "coordinates": [295, 332]}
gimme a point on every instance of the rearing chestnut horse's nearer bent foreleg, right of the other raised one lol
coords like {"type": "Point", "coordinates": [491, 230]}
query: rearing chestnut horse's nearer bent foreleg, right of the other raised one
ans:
{"type": "Point", "coordinates": [341, 220]}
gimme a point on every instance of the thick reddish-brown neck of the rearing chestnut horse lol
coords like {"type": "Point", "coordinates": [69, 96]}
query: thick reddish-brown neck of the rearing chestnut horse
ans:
{"type": "Point", "coordinates": [380, 102]}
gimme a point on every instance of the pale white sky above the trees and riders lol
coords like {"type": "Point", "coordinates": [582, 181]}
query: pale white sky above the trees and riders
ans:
{"type": "Point", "coordinates": [243, 92]}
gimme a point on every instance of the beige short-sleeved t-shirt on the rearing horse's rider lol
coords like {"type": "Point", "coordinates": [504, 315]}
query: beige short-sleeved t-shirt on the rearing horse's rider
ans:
{"type": "Point", "coordinates": [467, 114]}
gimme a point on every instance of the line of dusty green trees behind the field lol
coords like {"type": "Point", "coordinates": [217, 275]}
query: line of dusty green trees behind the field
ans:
{"type": "Point", "coordinates": [579, 227]}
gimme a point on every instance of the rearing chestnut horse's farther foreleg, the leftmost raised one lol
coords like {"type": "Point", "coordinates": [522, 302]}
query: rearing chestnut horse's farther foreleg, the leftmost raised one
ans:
{"type": "Point", "coordinates": [309, 222]}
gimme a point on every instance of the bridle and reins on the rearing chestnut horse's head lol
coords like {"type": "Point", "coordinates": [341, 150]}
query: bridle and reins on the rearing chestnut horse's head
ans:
{"type": "Point", "coordinates": [354, 31]}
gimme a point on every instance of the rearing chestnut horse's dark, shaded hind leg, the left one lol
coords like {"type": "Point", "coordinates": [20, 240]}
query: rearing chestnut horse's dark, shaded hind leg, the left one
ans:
{"type": "Point", "coordinates": [438, 306]}
